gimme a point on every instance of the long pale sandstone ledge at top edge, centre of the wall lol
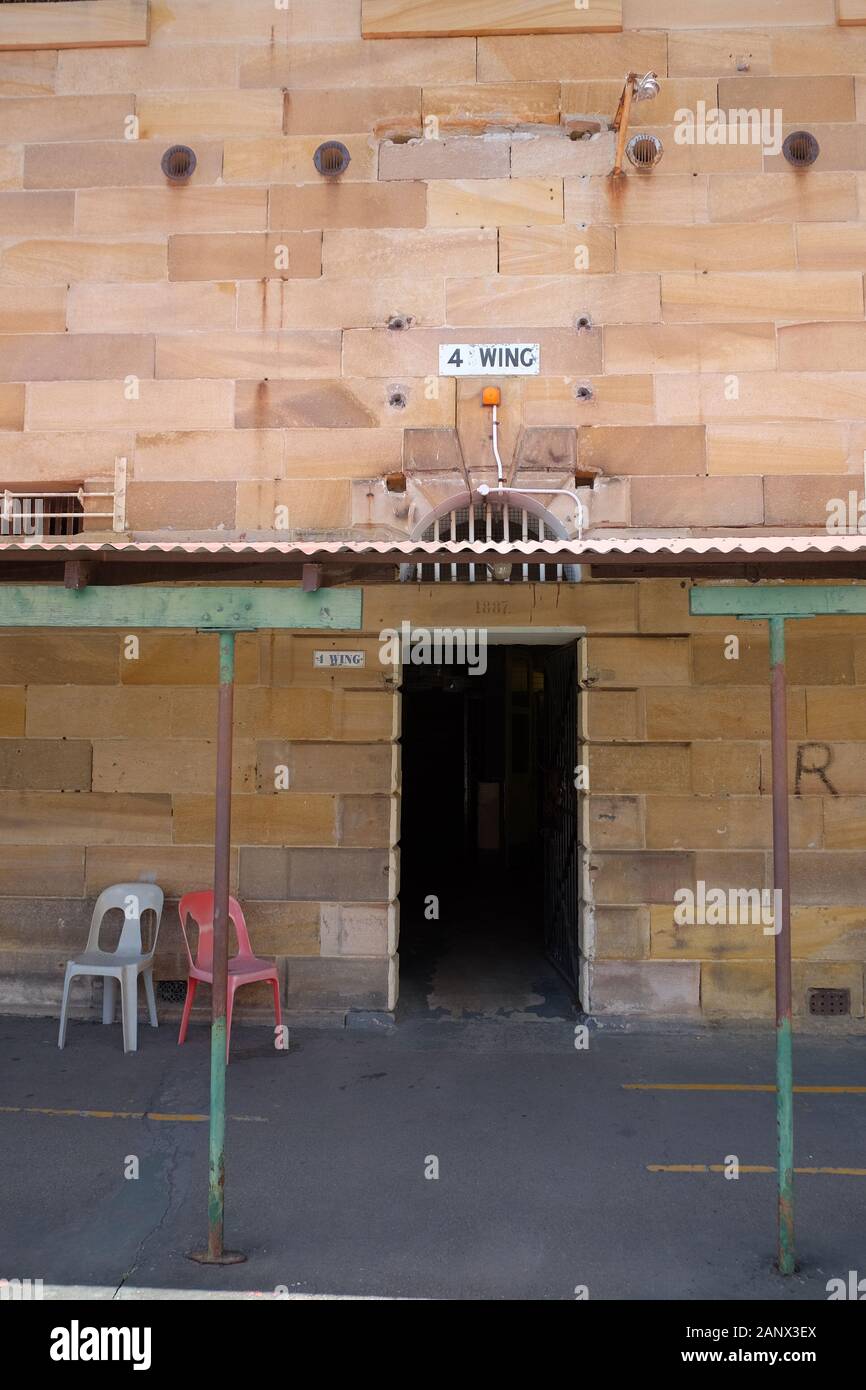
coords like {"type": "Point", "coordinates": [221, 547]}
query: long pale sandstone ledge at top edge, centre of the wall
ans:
{"type": "Point", "coordinates": [455, 19]}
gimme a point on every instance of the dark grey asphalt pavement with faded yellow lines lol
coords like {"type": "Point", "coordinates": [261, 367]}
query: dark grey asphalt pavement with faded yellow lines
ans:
{"type": "Point", "coordinates": [430, 1160]}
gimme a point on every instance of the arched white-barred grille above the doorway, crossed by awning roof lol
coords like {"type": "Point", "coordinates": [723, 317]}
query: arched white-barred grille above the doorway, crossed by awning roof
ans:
{"type": "Point", "coordinates": [484, 522]}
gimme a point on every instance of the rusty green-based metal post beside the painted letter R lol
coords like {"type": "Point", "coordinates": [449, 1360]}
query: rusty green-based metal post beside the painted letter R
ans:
{"type": "Point", "coordinates": [782, 882]}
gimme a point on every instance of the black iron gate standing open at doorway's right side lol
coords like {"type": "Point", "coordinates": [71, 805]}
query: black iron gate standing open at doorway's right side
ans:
{"type": "Point", "coordinates": [559, 817]}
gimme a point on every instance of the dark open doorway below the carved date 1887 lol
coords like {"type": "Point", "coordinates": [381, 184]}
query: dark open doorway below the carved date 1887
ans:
{"type": "Point", "coordinates": [490, 837]}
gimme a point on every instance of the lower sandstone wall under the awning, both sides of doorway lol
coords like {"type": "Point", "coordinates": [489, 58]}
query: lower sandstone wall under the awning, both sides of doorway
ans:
{"type": "Point", "coordinates": [108, 772]}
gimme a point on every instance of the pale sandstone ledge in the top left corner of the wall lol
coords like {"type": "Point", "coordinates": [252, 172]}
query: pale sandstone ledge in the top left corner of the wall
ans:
{"type": "Point", "coordinates": [76, 24]}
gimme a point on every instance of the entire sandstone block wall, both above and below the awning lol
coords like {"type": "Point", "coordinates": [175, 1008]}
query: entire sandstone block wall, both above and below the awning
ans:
{"type": "Point", "coordinates": [262, 347]}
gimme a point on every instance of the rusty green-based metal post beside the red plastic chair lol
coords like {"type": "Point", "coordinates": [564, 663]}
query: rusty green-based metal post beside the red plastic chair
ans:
{"type": "Point", "coordinates": [216, 1254]}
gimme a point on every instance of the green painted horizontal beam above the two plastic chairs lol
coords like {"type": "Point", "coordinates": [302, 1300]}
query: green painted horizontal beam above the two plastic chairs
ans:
{"type": "Point", "coordinates": [195, 607]}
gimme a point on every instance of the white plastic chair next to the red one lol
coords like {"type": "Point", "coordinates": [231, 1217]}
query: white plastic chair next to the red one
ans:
{"type": "Point", "coordinates": [126, 964]}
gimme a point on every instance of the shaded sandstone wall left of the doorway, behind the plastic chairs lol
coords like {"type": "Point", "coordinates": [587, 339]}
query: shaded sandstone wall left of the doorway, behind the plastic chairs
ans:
{"type": "Point", "coordinates": [108, 771]}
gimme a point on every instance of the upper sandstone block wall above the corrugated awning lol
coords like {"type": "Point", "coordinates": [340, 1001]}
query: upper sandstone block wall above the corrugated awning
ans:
{"type": "Point", "coordinates": [254, 305]}
